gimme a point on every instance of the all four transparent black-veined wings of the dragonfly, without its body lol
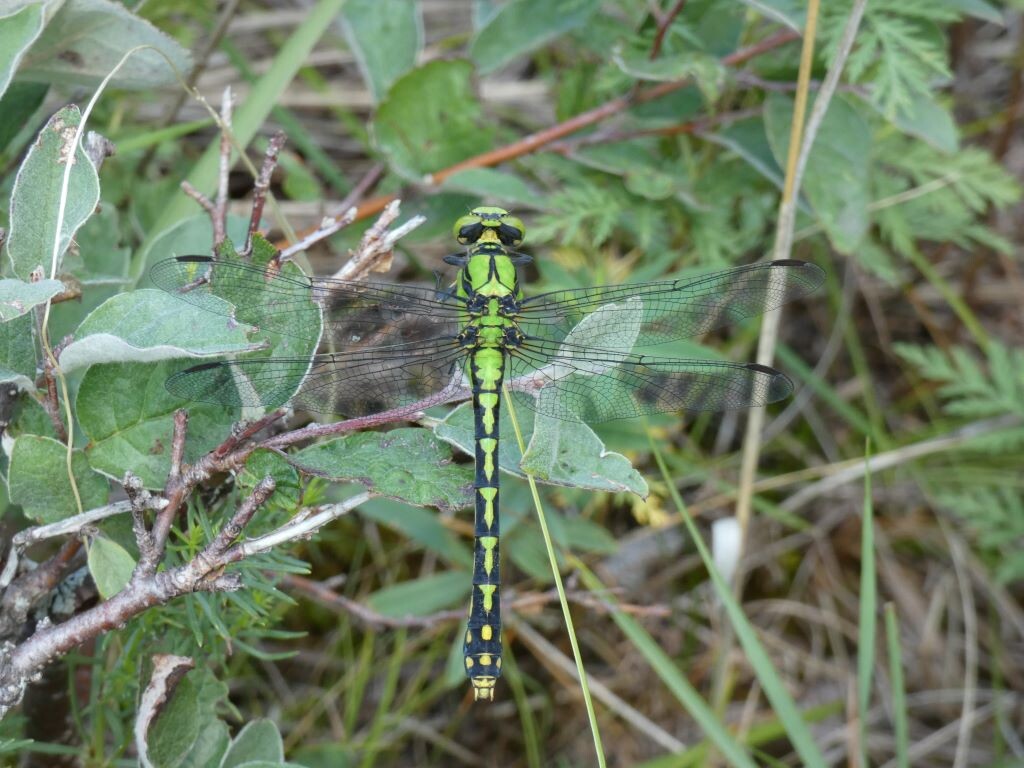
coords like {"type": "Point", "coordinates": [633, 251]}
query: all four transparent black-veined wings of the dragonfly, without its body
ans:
{"type": "Point", "coordinates": [387, 347]}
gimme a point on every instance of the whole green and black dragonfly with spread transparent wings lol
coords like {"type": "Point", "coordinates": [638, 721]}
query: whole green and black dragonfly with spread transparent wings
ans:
{"type": "Point", "coordinates": [390, 347]}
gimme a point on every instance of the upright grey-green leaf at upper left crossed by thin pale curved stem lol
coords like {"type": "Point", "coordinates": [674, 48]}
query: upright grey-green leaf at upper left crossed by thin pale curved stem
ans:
{"type": "Point", "coordinates": [36, 198]}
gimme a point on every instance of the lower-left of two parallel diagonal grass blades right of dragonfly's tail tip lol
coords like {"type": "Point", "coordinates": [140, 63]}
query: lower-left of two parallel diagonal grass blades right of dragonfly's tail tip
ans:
{"type": "Point", "coordinates": [671, 676]}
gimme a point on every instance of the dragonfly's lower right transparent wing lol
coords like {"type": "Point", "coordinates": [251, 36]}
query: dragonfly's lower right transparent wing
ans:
{"type": "Point", "coordinates": [600, 386]}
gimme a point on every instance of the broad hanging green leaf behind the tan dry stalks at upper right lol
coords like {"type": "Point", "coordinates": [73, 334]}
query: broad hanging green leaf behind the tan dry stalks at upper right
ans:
{"type": "Point", "coordinates": [837, 180]}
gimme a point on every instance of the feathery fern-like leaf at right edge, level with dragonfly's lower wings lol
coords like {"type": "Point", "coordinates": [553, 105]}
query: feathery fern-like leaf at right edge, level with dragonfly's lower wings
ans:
{"type": "Point", "coordinates": [971, 388]}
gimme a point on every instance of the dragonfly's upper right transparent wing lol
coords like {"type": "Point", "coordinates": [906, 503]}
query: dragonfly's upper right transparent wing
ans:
{"type": "Point", "coordinates": [673, 310]}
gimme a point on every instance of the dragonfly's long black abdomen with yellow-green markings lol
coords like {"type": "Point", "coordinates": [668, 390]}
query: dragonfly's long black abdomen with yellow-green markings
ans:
{"type": "Point", "coordinates": [483, 648]}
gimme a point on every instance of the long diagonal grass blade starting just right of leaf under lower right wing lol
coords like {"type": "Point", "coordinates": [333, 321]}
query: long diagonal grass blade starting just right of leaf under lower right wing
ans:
{"type": "Point", "coordinates": [783, 704]}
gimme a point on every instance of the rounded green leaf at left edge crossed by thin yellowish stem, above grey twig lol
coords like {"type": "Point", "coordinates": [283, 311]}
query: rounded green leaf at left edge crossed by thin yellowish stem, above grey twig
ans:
{"type": "Point", "coordinates": [38, 480]}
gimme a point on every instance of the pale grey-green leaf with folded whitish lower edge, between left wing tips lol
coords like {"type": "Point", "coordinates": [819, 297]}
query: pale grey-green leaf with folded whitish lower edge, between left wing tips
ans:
{"type": "Point", "coordinates": [148, 326]}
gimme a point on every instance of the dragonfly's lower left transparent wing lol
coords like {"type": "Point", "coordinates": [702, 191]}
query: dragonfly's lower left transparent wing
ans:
{"type": "Point", "coordinates": [348, 385]}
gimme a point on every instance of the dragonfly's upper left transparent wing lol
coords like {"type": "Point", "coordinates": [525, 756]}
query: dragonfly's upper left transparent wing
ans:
{"type": "Point", "coordinates": [353, 311]}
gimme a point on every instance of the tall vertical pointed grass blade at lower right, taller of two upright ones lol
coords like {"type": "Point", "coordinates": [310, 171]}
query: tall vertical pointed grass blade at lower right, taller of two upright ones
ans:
{"type": "Point", "coordinates": [869, 616]}
